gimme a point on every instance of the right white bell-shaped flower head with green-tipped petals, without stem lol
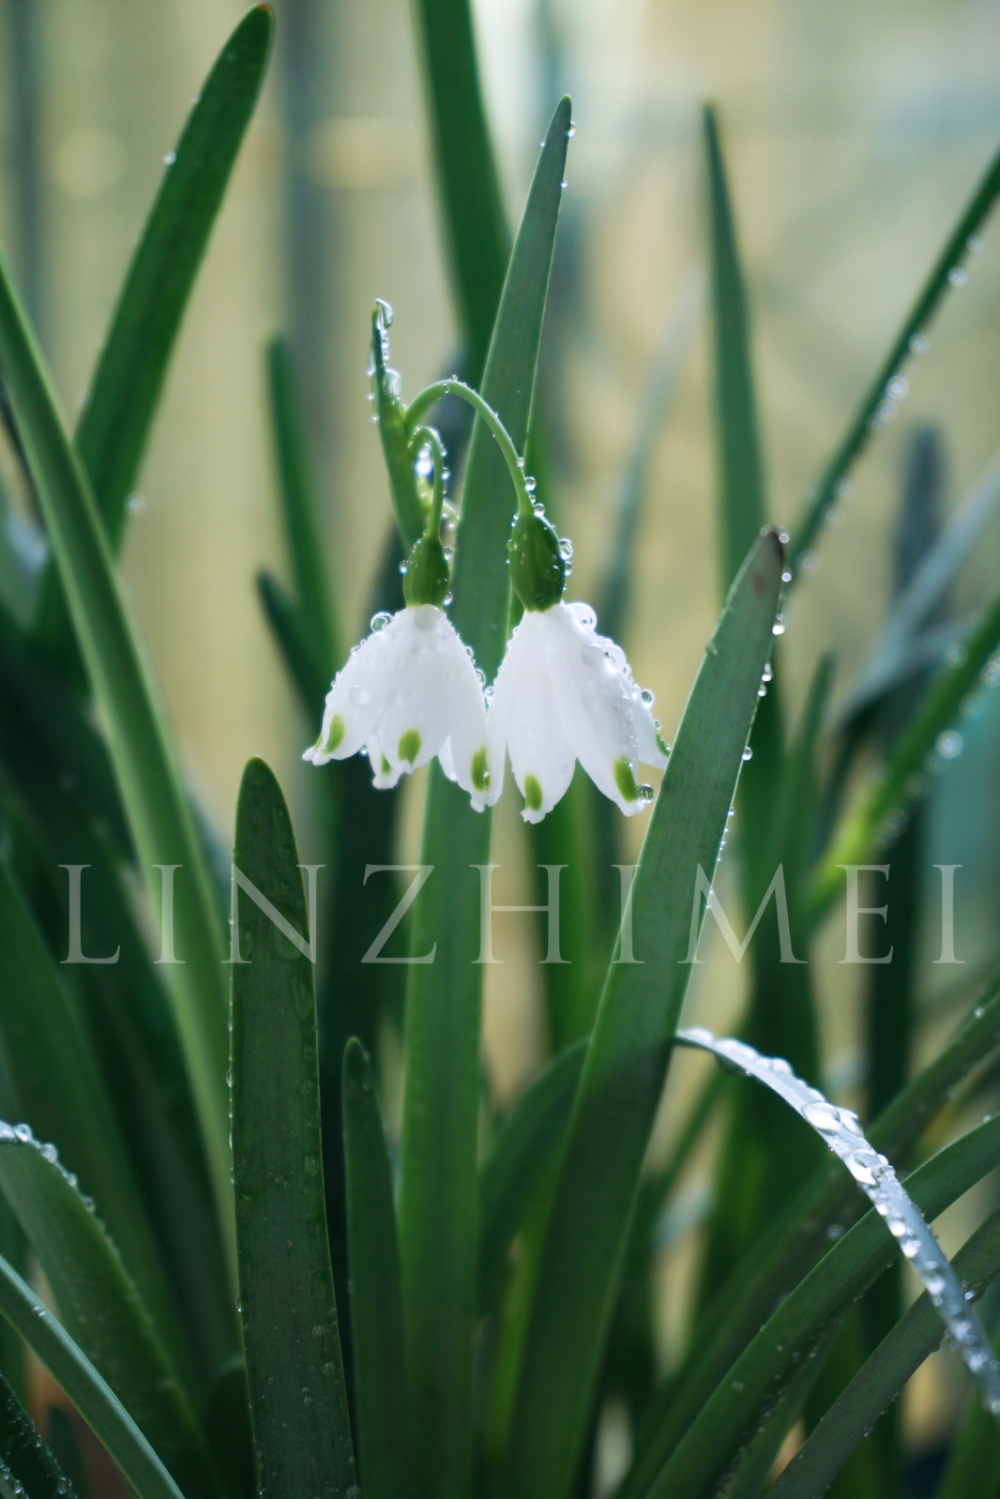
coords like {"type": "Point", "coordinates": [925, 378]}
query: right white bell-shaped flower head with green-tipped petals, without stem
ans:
{"type": "Point", "coordinates": [564, 695]}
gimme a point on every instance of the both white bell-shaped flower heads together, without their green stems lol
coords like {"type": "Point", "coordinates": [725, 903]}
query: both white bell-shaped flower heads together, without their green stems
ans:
{"type": "Point", "coordinates": [412, 692]}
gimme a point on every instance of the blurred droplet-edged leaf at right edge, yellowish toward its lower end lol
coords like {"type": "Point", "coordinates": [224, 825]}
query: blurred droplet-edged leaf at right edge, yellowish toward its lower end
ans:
{"type": "Point", "coordinates": [897, 786]}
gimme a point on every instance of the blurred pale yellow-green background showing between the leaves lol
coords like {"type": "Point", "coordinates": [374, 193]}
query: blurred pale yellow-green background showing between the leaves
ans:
{"type": "Point", "coordinates": [854, 136]}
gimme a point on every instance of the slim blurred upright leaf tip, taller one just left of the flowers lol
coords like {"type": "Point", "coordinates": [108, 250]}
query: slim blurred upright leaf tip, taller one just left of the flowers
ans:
{"type": "Point", "coordinates": [302, 518]}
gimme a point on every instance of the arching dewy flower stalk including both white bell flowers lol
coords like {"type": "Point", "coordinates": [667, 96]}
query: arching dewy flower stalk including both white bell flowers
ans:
{"type": "Point", "coordinates": [412, 692]}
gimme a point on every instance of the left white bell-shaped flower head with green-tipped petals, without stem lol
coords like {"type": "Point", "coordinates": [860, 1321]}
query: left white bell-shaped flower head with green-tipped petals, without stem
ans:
{"type": "Point", "coordinates": [409, 693]}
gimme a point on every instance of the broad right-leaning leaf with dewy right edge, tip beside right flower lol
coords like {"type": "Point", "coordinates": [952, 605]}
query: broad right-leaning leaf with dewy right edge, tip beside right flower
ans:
{"type": "Point", "coordinates": [627, 1062]}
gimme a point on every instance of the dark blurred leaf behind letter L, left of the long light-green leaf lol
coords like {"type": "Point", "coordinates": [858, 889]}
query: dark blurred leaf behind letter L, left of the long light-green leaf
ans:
{"type": "Point", "coordinates": [58, 770]}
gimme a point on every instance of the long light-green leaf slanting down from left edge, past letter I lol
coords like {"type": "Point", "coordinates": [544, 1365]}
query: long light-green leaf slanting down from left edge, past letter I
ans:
{"type": "Point", "coordinates": [158, 813]}
